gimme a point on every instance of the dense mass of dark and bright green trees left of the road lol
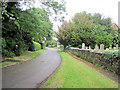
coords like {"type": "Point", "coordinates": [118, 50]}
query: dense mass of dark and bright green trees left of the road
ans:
{"type": "Point", "coordinates": [25, 29]}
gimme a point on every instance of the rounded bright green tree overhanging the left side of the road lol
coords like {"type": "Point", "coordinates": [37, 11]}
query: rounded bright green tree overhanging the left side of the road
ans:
{"type": "Point", "coordinates": [38, 27]}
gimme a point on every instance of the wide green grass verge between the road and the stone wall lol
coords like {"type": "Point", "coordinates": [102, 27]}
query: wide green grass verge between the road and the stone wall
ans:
{"type": "Point", "coordinates": [74, 74]}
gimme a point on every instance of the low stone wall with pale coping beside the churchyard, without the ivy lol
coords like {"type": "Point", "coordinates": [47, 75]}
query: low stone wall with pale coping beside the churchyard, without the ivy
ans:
{"type": "Point", "coordinates": [97, 58]}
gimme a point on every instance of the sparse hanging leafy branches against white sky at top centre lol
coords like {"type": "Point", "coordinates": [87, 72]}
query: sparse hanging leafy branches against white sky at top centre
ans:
{"type": "Point", "coordinates": [56, 8]}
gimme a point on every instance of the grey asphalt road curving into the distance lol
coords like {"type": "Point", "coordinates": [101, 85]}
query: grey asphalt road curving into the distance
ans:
{"type": "Point", "coordinates": [31, 73]}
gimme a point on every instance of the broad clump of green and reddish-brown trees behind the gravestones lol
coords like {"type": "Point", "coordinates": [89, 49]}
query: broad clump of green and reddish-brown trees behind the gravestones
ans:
{"type": "Point", "coordinates": [87, 28]}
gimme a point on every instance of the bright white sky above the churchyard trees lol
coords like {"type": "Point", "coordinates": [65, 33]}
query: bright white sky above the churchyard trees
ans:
{"type": "Point", "coordinates": [108, 8]}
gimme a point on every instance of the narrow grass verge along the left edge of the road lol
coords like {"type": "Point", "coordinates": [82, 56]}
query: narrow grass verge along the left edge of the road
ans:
{"type": "Point", "coordinates": [25, 56]}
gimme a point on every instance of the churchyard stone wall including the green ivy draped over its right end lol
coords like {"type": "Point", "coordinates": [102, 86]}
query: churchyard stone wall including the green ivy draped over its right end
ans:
{"type": "Point", "coordinates": [107, 60]}
